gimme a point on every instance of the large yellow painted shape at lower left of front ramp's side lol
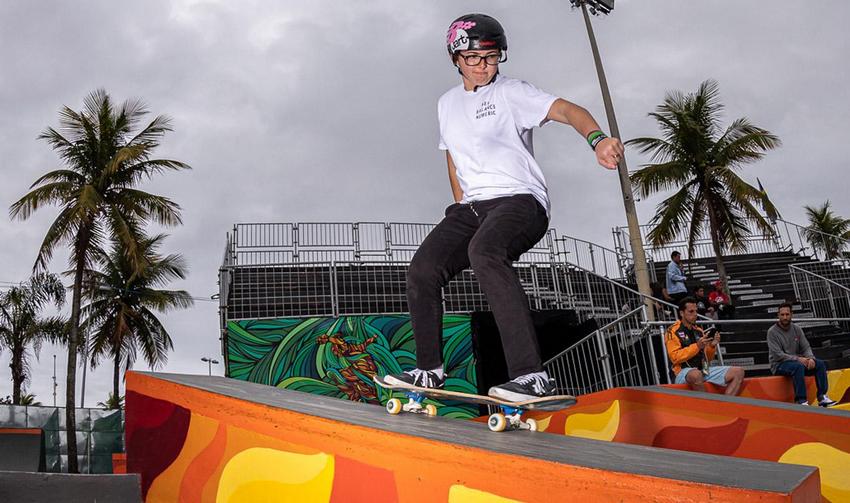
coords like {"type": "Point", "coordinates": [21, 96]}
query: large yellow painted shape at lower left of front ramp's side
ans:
{"type": "Point", "coordinates": [269, 475]}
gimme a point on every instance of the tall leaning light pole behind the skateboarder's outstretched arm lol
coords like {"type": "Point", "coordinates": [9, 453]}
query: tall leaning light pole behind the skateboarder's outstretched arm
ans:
{"type": "Point", "coordinates": [636, 242]}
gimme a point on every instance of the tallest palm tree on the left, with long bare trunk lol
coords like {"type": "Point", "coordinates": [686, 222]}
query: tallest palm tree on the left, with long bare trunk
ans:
{"type": "Point", "coordinates": [105, 158]}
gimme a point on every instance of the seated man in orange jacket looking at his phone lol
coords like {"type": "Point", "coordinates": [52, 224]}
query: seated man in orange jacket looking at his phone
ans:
{"type": "Point", "coordinates": [690, 351]}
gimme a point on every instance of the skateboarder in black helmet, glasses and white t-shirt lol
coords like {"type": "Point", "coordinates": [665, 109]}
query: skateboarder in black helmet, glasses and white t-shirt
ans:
{"type": "Point", "coordinates": [501, 204]}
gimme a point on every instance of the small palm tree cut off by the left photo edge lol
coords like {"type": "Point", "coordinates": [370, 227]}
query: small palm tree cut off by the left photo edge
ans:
{"type": "Point", "coordinates": [23, 327]}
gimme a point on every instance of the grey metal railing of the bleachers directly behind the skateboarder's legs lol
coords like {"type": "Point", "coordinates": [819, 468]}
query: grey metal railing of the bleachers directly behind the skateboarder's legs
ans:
{"type": "Point", "coordinates": [265, 274]}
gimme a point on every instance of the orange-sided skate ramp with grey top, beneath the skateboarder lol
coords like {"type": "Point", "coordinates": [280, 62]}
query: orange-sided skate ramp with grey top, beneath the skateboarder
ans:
{"type": "Point", "coordinates": [205, 438]}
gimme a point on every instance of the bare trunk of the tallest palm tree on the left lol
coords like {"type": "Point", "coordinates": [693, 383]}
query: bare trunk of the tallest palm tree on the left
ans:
{"type": "Point", "coordinates": [73, 343]}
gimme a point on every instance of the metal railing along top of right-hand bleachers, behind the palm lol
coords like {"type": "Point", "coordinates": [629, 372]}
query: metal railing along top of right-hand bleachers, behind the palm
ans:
{"type": "Point", "coordinates": [784, 236]}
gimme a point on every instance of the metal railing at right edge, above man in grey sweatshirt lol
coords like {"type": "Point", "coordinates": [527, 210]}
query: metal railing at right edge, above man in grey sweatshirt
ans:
{"type": "Point", "coordinates": [824, 297]}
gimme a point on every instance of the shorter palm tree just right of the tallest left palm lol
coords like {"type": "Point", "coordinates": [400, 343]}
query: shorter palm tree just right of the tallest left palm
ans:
{"type": "Point", "coordinates": [120, 317]}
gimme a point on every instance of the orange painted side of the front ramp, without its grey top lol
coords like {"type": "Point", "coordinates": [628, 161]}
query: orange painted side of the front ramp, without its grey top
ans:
{"type": "Point", "coordinates": [191, 445]}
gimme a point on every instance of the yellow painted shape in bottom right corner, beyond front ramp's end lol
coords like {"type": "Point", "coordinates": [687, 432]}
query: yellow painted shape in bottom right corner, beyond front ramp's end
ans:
{"type": "Point", "coordinates": [834, 466]}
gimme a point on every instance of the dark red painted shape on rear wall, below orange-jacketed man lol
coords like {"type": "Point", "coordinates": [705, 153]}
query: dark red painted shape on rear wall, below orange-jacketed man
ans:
{"type": "Point", "coordinates": [721, 440]}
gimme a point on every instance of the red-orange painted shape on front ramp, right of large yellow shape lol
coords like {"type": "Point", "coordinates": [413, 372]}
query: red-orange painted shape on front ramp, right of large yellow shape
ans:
{"type": "Point", "coordinates": [356, 482]}
